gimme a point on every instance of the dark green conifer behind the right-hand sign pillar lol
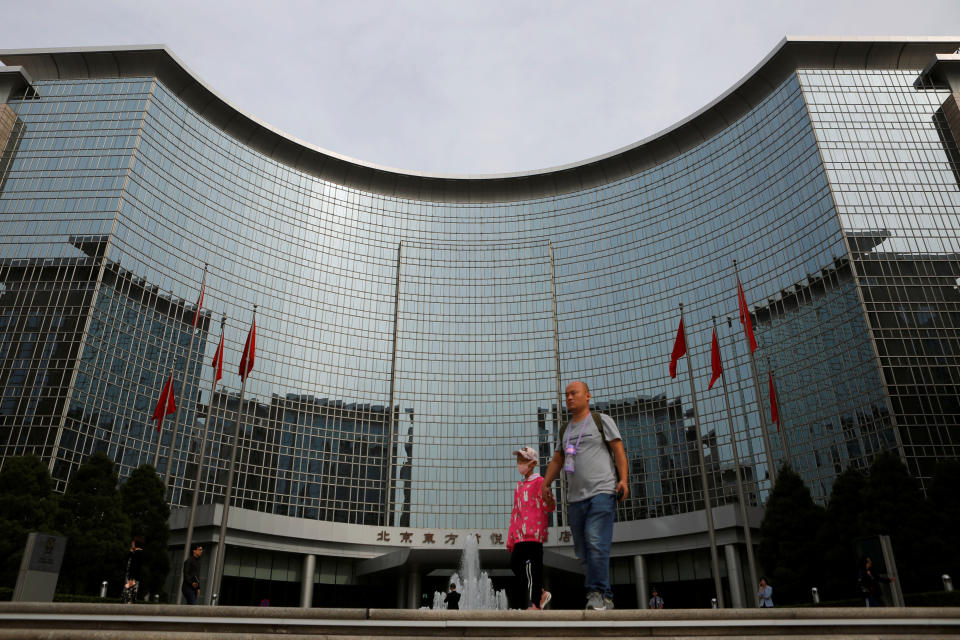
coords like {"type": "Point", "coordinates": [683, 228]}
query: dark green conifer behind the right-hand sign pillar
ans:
{"type": "Point", "coordinates": [895, 506]}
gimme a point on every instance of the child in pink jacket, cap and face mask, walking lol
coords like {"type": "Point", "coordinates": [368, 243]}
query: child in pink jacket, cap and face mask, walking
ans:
{"type": "Point", "coordinates": [528, 532]}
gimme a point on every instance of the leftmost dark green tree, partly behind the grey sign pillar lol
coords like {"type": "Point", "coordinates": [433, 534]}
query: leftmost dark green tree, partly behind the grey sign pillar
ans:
{"type": "Point", "coordinates": [26, 504]}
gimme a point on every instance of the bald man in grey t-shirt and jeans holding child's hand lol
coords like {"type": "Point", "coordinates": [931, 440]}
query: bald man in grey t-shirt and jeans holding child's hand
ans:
{"type": "Point", "coordinates": [590, 452]}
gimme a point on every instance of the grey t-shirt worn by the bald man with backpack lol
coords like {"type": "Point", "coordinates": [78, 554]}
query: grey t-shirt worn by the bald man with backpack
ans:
{"type": "Point", "coordinates": [594, 471]}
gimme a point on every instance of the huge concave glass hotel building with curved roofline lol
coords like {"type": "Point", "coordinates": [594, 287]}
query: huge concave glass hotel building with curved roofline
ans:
{"type": "Point", "coordinates": [413, 330]}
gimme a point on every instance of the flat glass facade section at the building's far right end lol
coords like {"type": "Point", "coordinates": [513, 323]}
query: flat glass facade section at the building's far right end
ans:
{"type": "Point", "coordinates": [892, 162]}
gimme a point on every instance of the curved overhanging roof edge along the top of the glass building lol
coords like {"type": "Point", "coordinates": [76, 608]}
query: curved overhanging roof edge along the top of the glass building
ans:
{"type": "Point", "coordinates": [791, 53]}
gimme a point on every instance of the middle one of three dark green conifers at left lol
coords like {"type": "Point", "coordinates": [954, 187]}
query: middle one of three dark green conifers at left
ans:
{"type": "Point", "coordinates": [98, 531]}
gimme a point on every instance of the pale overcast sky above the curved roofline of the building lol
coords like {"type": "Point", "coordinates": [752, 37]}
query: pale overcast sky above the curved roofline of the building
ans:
{"type": "Point", "coordinates": [450, 86]}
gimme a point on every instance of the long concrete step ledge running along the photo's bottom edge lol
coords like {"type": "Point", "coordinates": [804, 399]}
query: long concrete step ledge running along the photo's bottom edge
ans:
{"type": "Point", "coordinates": [27, 621]}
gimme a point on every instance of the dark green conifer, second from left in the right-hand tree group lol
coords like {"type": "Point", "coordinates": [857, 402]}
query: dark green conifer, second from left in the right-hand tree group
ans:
{"type": "Point", "coordinates": [843, 524]}
